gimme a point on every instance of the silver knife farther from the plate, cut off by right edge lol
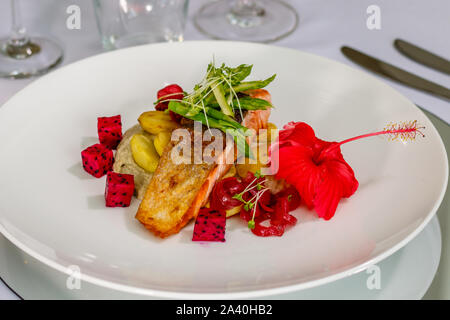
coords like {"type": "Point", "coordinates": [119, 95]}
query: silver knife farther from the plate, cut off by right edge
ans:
{"type": "Point", "coordinates": [422, 56]}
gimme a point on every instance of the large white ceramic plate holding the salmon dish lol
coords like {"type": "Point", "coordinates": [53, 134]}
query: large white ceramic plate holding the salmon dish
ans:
{"type": "Point", "coordinates": [55, 212]}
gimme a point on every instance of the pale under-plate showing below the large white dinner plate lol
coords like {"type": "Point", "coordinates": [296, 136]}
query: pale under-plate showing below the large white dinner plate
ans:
{"type": "Point", "coordinates": [406, 274]}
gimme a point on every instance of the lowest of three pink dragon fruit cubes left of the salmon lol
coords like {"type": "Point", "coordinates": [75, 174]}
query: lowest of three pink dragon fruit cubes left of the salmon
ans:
{"type": "Point", "coordinates": [119, 189]}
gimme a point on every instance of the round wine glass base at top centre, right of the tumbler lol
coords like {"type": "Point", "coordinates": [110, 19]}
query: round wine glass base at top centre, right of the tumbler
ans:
{"type": "Point", "coordinates": [247, 20]}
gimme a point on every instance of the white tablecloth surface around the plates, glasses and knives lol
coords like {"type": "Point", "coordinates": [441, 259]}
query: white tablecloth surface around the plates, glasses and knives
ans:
{"type": "Point", "coordinates": [325, 25]}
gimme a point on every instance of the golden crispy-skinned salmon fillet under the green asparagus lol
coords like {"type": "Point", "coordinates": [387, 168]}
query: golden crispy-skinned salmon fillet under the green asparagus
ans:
{"type": "Point", "coordinates": [178, 191]}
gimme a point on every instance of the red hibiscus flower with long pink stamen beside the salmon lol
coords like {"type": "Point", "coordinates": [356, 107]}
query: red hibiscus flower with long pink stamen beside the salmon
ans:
{"type": "Point", "coordinates": [317, 169]}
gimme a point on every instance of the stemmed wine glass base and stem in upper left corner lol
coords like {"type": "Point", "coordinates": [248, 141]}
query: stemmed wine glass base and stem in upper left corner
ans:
{"type": "Point", "coordinates": [22, 56]}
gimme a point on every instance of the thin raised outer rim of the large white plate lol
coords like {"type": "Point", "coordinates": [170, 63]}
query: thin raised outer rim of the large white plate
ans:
{"type": "Point", "coordinates": [157, 293]}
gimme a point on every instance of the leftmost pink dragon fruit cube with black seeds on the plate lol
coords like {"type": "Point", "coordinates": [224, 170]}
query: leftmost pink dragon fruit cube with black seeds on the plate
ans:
{"type": "Point", "coordinates": [97, 160]}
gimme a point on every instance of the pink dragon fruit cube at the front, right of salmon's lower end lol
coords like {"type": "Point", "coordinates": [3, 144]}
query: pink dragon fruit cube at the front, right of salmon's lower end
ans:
{"type": "Point", "coordinates": [209, 226]}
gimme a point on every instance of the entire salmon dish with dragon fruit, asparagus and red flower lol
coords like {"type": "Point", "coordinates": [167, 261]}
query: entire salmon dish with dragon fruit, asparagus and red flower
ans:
{"type": "Point", "coordinates": [181, 171]}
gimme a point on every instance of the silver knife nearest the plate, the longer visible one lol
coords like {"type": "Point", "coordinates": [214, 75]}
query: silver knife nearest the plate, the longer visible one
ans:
{"type": "Point", "coordinates": [395, 73]}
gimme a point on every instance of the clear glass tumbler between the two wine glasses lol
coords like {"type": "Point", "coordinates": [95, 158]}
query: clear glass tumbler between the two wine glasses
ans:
{"type": "Point", "coordinates": [126, 23]}
